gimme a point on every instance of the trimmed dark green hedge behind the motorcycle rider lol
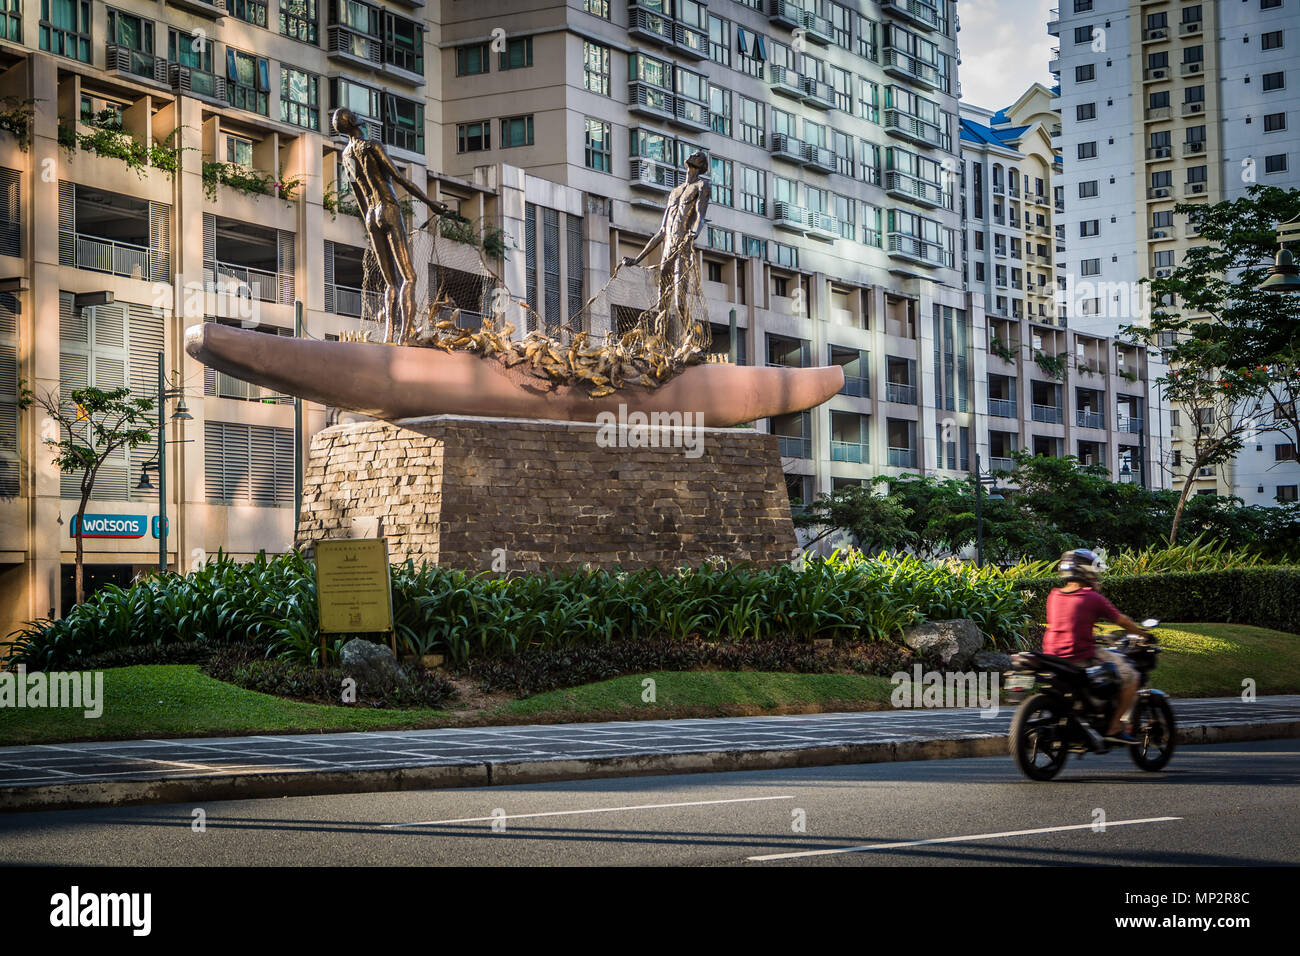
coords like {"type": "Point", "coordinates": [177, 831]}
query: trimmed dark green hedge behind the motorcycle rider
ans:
{"type": "Point", "coordinates": [1262, 596]}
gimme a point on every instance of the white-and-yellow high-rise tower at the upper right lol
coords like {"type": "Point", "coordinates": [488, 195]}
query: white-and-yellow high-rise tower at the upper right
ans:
{"type": "Point", "coordinates": [1165, 102]}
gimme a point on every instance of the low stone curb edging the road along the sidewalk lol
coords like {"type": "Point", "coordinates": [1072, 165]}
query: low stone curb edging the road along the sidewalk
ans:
{"type": "Point", "coordinates": [254, 786]}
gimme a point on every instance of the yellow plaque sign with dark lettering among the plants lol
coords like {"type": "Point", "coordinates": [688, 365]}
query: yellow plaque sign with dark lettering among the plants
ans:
{"type": "Point", "coordinates": [353, 586]}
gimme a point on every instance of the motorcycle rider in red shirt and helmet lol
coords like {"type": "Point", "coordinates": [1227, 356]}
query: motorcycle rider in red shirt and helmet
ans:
{"type": "Point", "coordinates": [1073, 611]}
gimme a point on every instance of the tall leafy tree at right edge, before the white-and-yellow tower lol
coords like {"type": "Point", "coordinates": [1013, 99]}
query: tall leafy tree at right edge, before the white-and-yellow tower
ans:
{"type": "Point", "coordinates": [1232, 349]}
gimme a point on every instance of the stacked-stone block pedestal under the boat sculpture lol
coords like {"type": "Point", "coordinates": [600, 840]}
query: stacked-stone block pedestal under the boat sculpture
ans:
{"type": "Point", "coordinates": [508, 495]}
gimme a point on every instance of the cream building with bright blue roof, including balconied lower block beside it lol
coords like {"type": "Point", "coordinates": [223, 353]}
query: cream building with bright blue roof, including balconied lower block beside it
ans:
{"type": "Point", "coordinates": [1052, 390]}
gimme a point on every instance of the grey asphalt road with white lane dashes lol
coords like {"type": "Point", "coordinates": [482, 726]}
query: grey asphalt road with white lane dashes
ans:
{"type": "Point", "coordinates": [1227, 804]}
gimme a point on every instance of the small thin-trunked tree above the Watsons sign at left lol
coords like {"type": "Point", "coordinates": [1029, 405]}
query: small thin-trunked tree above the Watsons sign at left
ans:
{"type": "Point", "coordinates": [86, 429]}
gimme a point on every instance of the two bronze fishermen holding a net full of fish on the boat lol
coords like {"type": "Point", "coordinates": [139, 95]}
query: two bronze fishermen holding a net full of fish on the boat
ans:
{"type": "Point", "coordinates": [465, 305]}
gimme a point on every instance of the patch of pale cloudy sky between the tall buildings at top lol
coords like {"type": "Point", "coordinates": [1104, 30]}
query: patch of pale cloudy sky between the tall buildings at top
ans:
{"type": "Point", "coordinates": [1006, 47]}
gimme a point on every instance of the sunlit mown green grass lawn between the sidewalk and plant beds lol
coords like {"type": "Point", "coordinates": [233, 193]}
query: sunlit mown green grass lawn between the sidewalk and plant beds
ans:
{"type": "Point", "coordinates": [179, 700]}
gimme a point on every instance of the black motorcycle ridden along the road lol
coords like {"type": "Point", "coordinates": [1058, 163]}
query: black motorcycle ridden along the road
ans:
{"type": "Point", "coordinates": [1065, 708]}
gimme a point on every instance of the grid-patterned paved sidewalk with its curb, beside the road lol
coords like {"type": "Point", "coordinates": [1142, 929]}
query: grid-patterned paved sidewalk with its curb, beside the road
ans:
{"type": "Point", "coordinates": [116, 773]}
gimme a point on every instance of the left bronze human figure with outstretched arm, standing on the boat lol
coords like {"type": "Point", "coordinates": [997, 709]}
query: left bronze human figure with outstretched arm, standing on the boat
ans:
{"type": "Point", "coordinates": [371, 174]}
